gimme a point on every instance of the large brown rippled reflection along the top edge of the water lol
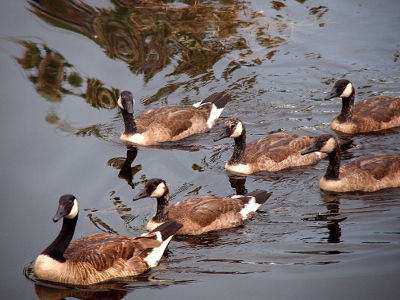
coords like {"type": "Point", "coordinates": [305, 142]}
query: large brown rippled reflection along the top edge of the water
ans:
{"type": "Point", "coordinates": [149, 35]}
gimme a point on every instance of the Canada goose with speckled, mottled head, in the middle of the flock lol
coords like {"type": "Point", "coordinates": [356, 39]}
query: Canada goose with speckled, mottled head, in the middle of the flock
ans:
{"type": "Point", "coordinates": [270, 153]}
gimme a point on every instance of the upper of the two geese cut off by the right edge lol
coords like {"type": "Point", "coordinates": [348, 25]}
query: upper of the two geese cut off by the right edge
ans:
{"type": "Point", "coordinates": [372, 114]}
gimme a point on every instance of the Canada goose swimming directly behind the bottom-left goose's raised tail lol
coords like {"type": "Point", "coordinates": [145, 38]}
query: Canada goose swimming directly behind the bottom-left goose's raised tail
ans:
{"type": "Point", "coordinates": [201, 214]}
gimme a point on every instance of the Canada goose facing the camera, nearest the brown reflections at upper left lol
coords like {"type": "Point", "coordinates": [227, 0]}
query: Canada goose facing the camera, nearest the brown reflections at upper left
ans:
{"type": "Point", "coordinates": [169, 123]}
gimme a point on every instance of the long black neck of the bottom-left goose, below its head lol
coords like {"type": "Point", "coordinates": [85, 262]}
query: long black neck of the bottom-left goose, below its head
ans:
{"type": "Point", "coordinates": [57, 248]}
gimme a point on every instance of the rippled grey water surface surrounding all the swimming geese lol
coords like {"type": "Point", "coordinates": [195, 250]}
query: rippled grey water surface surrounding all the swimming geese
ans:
{"type": "Point", "coordinates": [63, 65]}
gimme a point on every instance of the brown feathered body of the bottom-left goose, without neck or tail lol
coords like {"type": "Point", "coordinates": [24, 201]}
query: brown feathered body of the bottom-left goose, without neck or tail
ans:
{"type": "Point", "coordinates": [97, 258]}
